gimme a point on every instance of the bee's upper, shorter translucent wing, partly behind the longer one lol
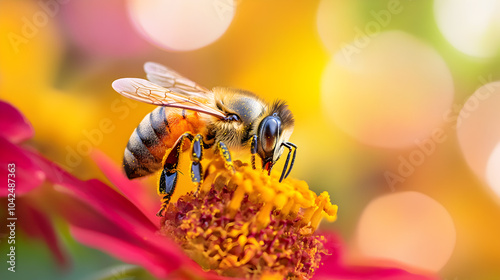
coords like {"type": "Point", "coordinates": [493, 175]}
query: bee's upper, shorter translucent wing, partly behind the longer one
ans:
{"type": "Point", "coordinates": [168, 78]}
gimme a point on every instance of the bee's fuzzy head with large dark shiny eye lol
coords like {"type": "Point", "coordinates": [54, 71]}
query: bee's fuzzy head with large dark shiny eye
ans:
{"type": "Point", "coordinates": [274, 130]}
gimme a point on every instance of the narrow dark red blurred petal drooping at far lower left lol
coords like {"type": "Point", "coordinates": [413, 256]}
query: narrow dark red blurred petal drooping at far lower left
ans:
{"type": "Point", "coordinates": [37, 225]}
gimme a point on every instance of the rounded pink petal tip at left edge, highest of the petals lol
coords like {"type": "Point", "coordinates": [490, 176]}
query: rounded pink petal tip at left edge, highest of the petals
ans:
{"type": "Point", "coordinates": [13, 125]}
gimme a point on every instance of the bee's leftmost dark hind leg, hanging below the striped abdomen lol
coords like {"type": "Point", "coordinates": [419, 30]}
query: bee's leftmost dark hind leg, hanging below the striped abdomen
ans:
{"type": "Point", "coordinates": [168, 177]}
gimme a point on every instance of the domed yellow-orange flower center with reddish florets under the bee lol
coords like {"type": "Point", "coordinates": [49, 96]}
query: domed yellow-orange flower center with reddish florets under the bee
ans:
{"type": "Point", "coordinates": [247, 224]}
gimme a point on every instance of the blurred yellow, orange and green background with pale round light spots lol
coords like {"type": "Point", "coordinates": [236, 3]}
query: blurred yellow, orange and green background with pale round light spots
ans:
{"type": "Point", "coordinates": [396, 105]}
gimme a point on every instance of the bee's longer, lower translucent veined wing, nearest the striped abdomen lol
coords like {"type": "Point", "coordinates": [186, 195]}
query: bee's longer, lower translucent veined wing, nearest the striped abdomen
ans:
{"type": "Point", "coordinates": [146, 91]}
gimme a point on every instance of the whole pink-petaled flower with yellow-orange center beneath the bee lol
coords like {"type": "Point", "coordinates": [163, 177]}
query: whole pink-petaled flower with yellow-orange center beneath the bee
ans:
{"type": "Point", "coordinates": [274, 223]}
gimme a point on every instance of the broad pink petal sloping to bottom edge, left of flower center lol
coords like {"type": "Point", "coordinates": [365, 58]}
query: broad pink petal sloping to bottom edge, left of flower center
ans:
{"type": "Point", "coordinates": [130, 244]}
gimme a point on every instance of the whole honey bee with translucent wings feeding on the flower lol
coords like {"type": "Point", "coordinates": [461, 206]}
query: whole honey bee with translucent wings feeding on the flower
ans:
{"type": "Point", "coordinates": [221, 119]}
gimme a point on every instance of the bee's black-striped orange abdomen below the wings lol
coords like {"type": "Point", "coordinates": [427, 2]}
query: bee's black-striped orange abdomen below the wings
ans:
{"type": "Point", "coordinates": [156, 133]}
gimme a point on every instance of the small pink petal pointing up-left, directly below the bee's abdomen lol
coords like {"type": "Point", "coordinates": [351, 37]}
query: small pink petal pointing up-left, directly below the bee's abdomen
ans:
{"type": "Point", "coordinates": [133, 190]}
